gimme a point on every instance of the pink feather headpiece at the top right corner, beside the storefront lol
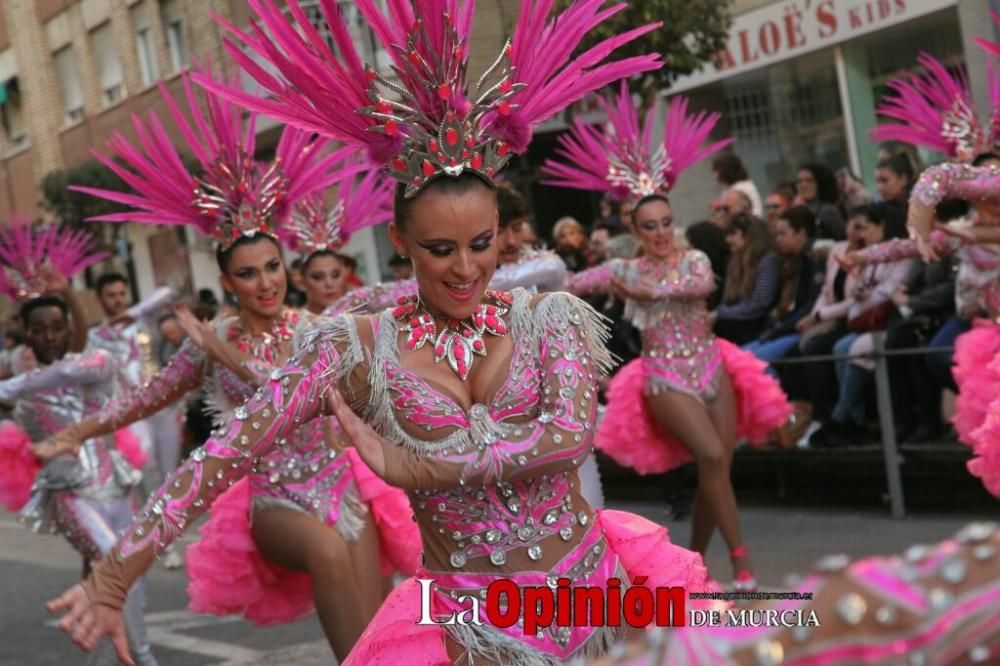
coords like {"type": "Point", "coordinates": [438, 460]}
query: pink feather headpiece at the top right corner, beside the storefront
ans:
{"type": "Point", "coordinates": [934, 109]}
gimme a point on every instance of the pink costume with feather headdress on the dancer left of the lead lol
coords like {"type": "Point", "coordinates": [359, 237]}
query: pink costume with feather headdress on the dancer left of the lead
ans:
{"type": "Point", "coordinates": [237, 198]}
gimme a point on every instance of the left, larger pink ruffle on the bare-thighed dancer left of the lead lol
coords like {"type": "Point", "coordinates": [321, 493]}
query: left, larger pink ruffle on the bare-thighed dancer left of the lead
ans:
{"type": "Point", "coordinates": [228, 575]}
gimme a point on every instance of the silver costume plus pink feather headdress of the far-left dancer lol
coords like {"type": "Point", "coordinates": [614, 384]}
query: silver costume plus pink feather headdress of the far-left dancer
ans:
{"type": "Point", "coordinates": [86, 497]}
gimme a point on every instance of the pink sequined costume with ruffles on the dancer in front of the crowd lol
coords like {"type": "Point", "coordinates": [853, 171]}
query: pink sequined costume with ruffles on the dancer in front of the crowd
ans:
{"type": "Point", "coordinates": [681, 354]}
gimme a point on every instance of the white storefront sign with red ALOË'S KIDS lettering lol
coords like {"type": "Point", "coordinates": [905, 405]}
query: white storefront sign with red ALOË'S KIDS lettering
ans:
{"type": "Point", "coordinates": [783, 30]}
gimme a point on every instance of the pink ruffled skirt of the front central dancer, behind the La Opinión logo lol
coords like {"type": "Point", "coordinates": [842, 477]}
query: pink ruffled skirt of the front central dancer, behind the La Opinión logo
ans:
{"type": "Point", "coordinates": [642, 548]}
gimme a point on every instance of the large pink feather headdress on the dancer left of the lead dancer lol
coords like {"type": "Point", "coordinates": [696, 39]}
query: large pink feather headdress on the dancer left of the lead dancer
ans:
{"type": "Point", "coordinates": [234, 196]}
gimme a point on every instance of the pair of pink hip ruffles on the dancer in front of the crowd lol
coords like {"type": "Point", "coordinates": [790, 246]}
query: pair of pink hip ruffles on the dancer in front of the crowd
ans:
{"type": "Point", "coordinates": [630, 436]}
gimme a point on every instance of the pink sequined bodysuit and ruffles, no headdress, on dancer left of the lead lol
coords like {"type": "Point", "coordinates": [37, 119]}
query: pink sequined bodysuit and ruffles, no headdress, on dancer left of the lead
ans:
{"type": "Point", "coordinates": [309, 472]}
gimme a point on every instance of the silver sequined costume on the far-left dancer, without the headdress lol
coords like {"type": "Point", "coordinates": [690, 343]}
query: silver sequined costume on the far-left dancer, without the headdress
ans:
{"type": "Point", "coordinates": [85, 497]}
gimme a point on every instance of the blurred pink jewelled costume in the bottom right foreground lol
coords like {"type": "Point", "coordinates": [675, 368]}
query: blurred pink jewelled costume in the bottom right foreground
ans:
{"type": "Point", "coordinates": [930, 605]}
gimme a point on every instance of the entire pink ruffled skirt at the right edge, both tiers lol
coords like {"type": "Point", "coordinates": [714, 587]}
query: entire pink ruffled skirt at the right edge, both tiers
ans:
{"type": "Point", "coordinates": [977, 408]}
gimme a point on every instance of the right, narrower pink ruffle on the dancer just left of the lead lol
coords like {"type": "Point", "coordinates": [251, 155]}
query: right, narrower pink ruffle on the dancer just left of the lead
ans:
{"type": "Point", "coordinates": [398, 535]}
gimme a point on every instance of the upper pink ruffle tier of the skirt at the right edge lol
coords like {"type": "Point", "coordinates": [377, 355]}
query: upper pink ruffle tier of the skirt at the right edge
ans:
{"type": "Point", "coordinates": [977, 377]}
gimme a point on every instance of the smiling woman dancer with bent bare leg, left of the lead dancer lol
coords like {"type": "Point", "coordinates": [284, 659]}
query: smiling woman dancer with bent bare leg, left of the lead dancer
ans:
{"type": "Point", "coordinates": [308, 506]}
